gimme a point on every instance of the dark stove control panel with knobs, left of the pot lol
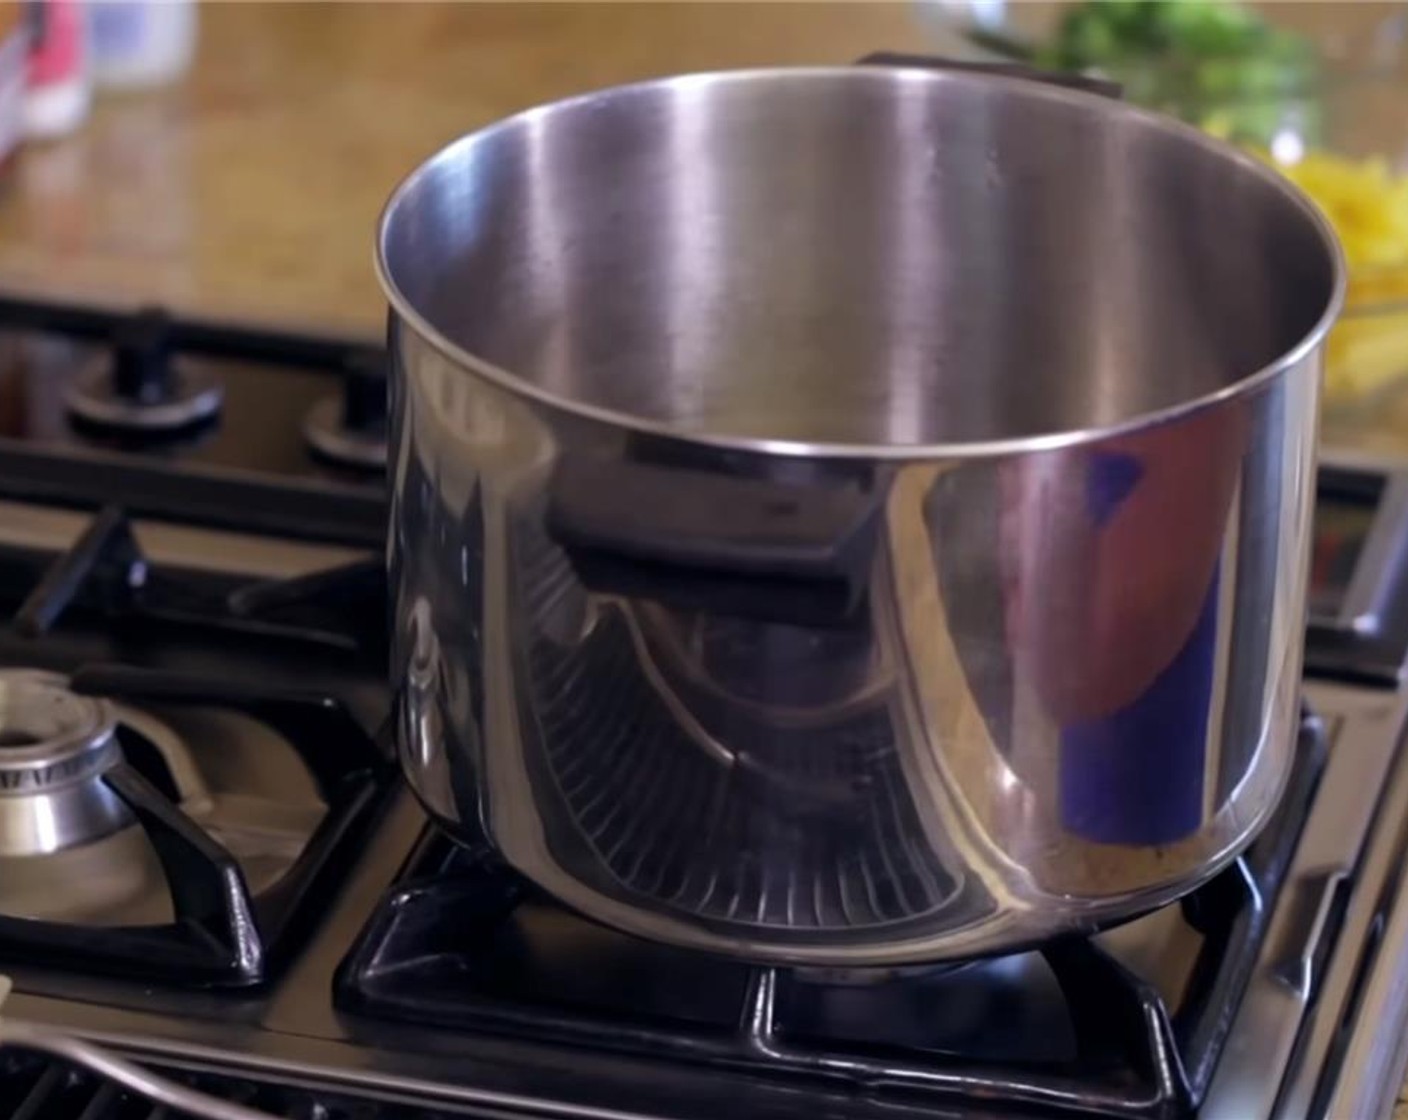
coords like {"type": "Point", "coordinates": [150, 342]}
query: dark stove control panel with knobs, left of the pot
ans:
{"type": "Point", "coordinates": [205, 422]}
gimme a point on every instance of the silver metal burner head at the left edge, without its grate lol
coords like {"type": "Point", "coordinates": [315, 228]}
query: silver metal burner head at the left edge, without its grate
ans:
{"type": "Point", "coordinates": [54, 749]}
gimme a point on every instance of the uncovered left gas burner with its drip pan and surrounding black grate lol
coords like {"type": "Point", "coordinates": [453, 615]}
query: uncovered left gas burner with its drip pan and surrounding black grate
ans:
{"type": "Point", "coordinates": [175, 829]}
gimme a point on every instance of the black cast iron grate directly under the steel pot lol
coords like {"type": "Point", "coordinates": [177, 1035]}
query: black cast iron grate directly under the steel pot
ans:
{"type": "Point", "coordinates": [463, 945]}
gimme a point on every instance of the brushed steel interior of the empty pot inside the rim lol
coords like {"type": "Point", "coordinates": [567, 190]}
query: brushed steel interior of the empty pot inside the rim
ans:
{"type": "Point", "coordinates": [857, 257]}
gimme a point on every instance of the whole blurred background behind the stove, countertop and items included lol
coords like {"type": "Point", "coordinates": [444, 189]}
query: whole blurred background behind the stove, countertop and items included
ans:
{"type": "Point", "coordinates": [230, 158]}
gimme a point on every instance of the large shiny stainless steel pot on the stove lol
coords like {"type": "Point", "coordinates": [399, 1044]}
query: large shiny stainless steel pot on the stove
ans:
{"type": "Point", "coordinates": [853, 516]}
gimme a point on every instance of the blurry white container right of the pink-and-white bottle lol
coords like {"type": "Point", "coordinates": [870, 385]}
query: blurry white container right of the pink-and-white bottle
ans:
{"type": "Point", "coordinates": [139, 44]}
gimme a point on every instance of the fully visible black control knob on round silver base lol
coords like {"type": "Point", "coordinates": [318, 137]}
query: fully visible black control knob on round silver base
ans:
{"type": "Point", "coordinates": [144, 391]}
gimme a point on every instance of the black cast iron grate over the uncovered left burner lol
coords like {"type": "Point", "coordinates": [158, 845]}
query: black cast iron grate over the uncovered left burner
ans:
{"type": "Point", "coordinates": [222, 935]}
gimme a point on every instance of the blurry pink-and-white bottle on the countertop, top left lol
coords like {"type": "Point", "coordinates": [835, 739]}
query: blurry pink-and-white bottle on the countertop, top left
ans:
{"type": "Point", "coordinates": [58, 92]}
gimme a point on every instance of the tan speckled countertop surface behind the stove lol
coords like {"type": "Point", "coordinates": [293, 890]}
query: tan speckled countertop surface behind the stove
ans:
{"type": "Point", "coordinates": [251, 189]}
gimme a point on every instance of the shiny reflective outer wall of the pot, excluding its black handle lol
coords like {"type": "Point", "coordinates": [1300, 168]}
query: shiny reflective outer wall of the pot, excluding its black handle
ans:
{"type": "Point", "coordinates": [913, 773]}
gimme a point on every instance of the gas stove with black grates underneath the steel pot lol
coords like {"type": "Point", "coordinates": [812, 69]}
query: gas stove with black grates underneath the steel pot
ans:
{"type": "Point", "coordinates": [210, 867]}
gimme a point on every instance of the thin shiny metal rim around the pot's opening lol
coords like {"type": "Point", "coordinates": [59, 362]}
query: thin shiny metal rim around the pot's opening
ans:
{"type": "Point", "coordinates": [967, 450]}
